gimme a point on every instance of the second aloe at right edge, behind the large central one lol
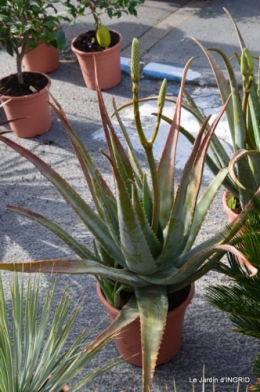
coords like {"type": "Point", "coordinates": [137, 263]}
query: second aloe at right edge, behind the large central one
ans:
{"type": "Point", "coordinates": [243, 119]}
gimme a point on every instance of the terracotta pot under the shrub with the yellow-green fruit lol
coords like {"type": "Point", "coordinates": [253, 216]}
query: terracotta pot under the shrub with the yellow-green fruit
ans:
{"type": "Point", "coordinates": [107, 62]}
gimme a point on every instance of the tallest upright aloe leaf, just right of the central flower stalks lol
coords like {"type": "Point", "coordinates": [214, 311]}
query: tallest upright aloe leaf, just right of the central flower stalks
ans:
{"type": "Point", "coordinates": [166, 166]}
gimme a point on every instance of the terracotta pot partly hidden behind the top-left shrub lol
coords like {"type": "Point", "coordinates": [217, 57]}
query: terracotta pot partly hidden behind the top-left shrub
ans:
{"type": "Point", "coordinates": [42, 59]}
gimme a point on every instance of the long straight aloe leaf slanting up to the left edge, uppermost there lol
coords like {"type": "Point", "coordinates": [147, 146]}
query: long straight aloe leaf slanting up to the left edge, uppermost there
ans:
{"type": "Point", "coordinates": [95, 224]}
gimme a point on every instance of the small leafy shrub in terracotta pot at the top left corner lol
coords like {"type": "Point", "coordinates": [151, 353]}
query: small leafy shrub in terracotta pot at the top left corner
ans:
{"type": "Point", "coordinates": [24, 26]}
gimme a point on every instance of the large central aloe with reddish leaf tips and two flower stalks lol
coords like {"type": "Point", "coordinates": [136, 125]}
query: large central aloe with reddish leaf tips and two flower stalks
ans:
{"type": "Point", "coordinates": [145, 231]}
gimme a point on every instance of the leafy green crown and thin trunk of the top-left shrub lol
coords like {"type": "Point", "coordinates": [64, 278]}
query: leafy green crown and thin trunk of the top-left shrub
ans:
{"type": "Point", "coordinates": [25, 24]}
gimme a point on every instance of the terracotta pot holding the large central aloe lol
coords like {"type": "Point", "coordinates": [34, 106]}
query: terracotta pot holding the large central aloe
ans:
{"type": "Point", "coordinates": [128, 342]}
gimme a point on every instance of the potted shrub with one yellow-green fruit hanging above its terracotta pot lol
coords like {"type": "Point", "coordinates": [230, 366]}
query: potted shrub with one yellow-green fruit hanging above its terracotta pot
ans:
{"type": "Point", "coordinates": [101, 44]}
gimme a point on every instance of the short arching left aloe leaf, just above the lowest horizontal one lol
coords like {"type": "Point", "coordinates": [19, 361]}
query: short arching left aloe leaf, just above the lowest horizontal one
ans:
{"type": "Point", "coordinates": [78, 248]}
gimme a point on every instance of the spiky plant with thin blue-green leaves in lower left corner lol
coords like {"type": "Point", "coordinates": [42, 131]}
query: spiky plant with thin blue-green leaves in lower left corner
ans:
{"type": "Point", "coordinates": [33, 334]}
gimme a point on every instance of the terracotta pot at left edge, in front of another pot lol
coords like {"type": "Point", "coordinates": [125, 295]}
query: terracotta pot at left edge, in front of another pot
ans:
{"type": "Point", "coordinates": [35, 107]}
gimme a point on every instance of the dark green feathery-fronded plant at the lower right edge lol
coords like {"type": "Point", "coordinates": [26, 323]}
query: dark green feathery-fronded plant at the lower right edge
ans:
{"type": "Point", "coordinates": [241, 298]}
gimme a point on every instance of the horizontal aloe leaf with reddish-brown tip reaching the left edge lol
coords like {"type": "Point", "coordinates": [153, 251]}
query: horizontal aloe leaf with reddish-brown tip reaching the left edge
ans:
{"type": "Point", "coordinates": [75, 266]}
